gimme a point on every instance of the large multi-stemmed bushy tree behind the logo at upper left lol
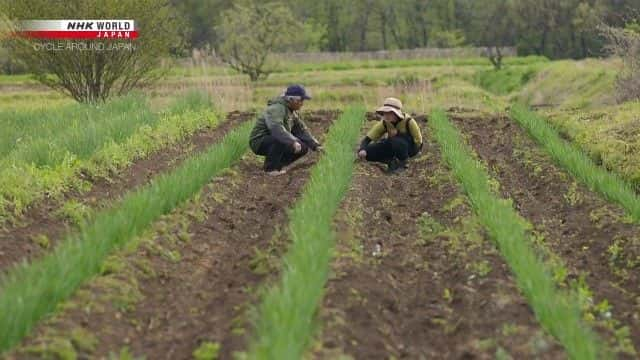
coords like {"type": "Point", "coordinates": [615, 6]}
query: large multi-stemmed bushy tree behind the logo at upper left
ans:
{"type": "Point", "coordinates": [93, 70]}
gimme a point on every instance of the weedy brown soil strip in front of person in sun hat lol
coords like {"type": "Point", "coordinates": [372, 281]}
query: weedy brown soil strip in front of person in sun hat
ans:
{"type": "Point", "coordinates": [415, 276]}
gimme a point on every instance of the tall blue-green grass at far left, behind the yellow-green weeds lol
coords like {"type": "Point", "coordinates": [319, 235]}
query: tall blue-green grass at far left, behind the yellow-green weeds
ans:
{"type": "Point", "coordinates": [45, 137]}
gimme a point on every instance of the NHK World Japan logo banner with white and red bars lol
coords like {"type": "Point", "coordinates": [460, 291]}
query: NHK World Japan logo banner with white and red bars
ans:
{"type": "Point", "coordinates": [78, 29]}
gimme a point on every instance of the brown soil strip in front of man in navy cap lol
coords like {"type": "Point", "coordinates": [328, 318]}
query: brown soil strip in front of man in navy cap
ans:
{"type": "Point", "coordinates": [195, 279]}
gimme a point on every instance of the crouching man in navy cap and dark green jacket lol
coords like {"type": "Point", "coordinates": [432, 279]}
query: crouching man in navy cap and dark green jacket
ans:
{"type": "Point", "coordinates": [280, 134]}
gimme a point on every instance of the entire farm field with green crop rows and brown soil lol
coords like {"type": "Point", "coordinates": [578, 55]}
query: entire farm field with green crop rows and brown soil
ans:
{"type": "Point", "coordinates": [146, 228]}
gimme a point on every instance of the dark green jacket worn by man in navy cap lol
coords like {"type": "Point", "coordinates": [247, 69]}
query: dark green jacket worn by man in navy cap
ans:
{"type": "Point", "coordinates": [281, 123]}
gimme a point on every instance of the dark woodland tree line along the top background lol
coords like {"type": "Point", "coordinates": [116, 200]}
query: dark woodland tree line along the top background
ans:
{"type": "Point", "coordinates": [553, 28]}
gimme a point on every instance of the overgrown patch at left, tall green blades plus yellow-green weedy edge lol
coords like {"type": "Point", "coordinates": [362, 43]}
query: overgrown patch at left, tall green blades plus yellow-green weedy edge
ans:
{"type": "Point", "coordinates": [24, 179]}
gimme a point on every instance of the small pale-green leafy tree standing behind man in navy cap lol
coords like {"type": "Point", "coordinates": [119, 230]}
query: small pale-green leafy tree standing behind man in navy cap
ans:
{"type": "Point", "coordinates": [251, 31]}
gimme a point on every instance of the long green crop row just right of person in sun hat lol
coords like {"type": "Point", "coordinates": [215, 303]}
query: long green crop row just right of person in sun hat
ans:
{"type": "Point", "coordinates": [557, 311]}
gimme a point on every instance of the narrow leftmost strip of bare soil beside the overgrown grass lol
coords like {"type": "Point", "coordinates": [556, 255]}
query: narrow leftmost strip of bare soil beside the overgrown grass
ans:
{"type": "Point", "coordinates": [19, 242]}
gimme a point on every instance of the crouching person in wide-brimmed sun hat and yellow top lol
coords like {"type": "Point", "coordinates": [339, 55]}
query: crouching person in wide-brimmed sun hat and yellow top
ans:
{"type": "Point", "coordinates": [403, 137]}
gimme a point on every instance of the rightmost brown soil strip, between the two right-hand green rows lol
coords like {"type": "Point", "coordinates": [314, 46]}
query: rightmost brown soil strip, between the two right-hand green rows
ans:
{"type": "Point", "coordinates": [590, 235]}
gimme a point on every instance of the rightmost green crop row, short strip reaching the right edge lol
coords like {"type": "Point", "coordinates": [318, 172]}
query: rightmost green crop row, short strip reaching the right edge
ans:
{"type": "Point", "coordinates": [565, 154]}
